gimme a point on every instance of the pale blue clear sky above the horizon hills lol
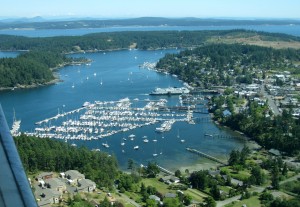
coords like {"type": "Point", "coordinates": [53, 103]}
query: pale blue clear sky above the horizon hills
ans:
{"type": "Point", "coordinates": [153, 8]}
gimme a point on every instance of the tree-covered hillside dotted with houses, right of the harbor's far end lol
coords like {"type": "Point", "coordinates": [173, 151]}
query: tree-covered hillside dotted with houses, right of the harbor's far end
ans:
{"type": "Point", "coordinates": [226, 64]}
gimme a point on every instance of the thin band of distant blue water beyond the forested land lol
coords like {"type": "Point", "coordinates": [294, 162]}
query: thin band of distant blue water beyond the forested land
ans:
{"type": "Point", "coordinates": [287, 29]}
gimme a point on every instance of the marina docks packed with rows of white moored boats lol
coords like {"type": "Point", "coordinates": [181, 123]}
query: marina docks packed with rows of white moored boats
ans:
{"type": "Point", "coordinates": [105, 118]}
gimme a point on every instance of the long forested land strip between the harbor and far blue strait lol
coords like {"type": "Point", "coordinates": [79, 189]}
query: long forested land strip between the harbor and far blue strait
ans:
{"type": "Point", "coordinates": [122, 40]}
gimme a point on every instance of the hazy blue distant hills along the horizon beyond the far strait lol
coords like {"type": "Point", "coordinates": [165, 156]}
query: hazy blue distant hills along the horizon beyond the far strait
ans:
{"type": "Point", "coordinates": [41, 23]}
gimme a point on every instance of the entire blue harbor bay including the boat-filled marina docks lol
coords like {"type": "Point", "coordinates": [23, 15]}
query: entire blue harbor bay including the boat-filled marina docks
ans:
{"type": "Point", "coordinates": [102, 117]}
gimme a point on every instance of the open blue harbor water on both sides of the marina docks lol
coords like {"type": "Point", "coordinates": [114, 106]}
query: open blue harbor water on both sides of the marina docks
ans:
{"type": "Point", "coordinates": [114, 69]}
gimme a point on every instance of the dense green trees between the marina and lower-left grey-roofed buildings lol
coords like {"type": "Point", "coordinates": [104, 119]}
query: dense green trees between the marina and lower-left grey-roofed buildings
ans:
{"type": "Point", "coordinates": [51, 155]}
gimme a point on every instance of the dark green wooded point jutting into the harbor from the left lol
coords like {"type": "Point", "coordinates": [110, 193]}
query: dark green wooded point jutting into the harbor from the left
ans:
{"type": "Point", "coordinates": [31, 68]}
